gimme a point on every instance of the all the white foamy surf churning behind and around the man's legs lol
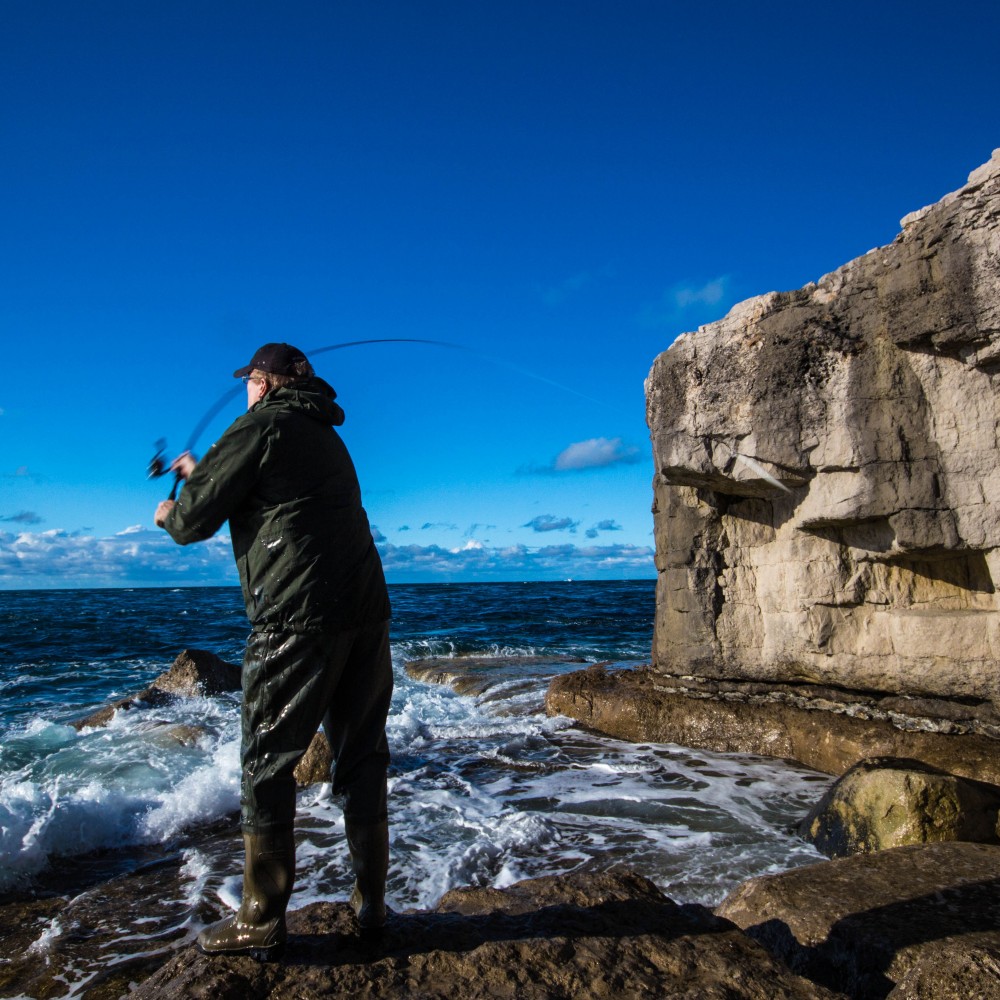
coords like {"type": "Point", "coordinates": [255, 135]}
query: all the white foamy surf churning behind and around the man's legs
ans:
{"type": "Point", "coordinates": [482, 791]}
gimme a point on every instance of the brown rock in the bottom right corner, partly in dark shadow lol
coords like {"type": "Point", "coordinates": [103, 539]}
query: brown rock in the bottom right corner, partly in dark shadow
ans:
{"type": "Point", "coordinates": [920, 921]}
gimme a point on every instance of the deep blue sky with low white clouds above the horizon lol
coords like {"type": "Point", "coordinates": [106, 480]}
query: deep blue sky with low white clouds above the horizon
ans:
{"type": "Point", "coordinates": [559, 188]}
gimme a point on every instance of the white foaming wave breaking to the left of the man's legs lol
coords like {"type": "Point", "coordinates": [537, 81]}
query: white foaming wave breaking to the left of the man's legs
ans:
{"type": "Point", "coordinates": [131, 782]}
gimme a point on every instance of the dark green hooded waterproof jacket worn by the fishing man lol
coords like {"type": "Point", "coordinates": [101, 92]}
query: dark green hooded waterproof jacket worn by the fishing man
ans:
{"type": "Point", "coordinates": [283, 479]}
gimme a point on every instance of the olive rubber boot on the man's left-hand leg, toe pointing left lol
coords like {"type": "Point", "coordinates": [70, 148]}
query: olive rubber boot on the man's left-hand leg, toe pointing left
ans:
{"type": "Point", "coordinates": [258, 928]}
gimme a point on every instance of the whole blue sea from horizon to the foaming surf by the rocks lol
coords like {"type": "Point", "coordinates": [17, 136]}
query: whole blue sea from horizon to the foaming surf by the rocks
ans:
{"type": "Point", "coordinates": [118, 843]}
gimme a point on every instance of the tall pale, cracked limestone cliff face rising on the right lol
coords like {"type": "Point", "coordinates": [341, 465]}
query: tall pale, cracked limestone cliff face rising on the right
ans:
{"type": "Point", "coordinates": [827, 488]}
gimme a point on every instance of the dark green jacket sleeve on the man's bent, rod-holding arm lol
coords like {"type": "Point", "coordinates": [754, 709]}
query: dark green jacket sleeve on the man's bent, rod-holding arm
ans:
{"type": "Point", "coordinates": [219, 483]}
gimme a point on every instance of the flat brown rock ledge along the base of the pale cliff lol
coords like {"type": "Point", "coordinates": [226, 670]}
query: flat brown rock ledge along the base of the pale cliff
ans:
{"type": "Point", "coordinates": [821, 727]}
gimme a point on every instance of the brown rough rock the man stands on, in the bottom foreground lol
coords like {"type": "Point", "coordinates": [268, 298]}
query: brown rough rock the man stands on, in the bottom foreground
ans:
{"type": "Point", "coordinates": [578, 936]}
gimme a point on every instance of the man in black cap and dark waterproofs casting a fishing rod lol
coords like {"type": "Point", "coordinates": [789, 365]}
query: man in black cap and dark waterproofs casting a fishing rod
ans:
{"type": "Point", "coordinates": [318, 652]}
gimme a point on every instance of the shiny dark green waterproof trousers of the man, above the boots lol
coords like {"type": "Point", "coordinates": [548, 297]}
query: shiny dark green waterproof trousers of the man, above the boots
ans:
{"type": "Point", "coordinates": [294, 682]}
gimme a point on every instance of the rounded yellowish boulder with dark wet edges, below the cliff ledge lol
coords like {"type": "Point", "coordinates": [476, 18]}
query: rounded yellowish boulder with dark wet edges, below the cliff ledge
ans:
{"type": "Point", "coordinates": [888, 802]}
